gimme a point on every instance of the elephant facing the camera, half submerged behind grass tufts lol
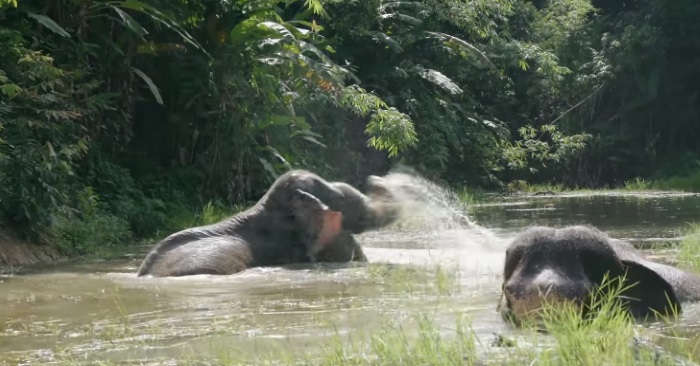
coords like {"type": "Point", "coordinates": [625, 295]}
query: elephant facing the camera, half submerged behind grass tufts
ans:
{"type": "Point", "coordinates": [554, 265]}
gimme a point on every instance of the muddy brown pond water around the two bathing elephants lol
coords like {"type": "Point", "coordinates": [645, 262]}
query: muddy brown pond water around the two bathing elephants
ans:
{"type": "Point", "coordinates": [81, 313]}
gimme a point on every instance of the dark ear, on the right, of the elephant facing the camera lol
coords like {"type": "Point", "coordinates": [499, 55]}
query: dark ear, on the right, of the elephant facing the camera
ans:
{"type": "Point", "coordinates": [649, 293]}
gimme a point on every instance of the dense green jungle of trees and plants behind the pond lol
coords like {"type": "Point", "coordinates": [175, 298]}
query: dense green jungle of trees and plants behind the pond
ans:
{"type": "Point", "coordinates": [118, 119]}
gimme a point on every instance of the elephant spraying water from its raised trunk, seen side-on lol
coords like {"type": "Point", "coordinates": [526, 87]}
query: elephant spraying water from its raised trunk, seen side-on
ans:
{"type": "Point", "coordinates": [300, 217]}
